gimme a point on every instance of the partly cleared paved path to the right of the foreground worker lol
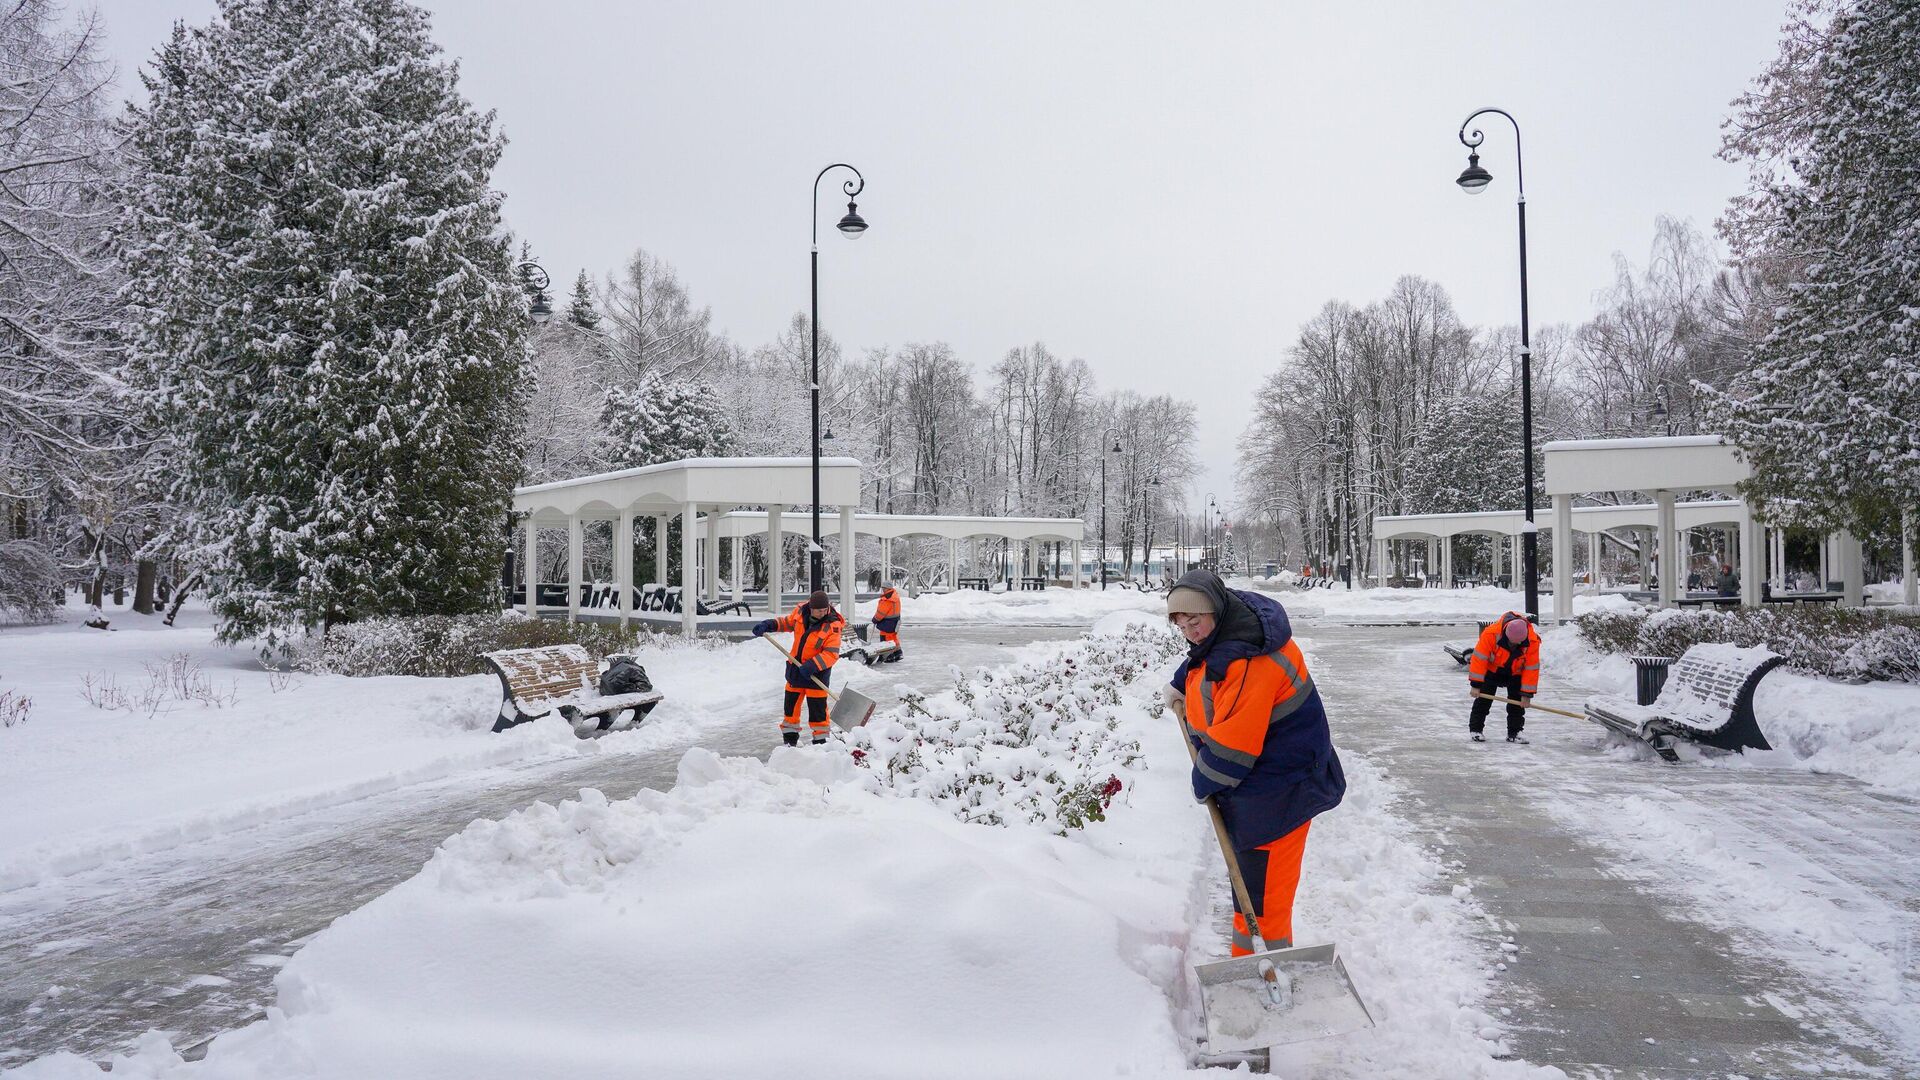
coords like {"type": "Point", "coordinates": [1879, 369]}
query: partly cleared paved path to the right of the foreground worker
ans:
{"type": "Point", "coordinates": [1666, 921]}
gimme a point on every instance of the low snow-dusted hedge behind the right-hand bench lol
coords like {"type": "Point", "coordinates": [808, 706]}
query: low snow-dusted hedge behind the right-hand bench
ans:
{"type": "Point", "coordinates": [1838, 643]}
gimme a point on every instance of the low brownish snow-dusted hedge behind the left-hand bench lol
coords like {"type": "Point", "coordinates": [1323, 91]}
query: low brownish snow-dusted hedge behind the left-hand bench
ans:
{"type": "Point", "coordinates": [443, 647]}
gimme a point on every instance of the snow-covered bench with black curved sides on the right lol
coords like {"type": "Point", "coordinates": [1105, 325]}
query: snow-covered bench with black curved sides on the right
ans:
{"type": "Point", "coordinates": [1706, 699]}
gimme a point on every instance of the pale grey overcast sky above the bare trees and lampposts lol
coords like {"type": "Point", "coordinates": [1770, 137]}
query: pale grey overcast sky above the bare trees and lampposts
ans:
{"type": "Point", "coordinates": [1166, 191]}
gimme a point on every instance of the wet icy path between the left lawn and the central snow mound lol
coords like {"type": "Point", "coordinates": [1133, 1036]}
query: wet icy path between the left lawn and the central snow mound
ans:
{"type": "Point", "coordinates": [189, 941]}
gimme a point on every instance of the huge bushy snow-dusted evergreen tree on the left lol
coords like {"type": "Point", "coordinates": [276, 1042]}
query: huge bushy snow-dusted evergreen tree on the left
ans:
{"type": "Point", "coordinates": [324, 310]}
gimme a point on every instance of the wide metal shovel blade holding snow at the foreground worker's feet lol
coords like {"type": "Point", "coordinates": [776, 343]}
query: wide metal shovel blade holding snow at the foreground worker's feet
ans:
{"type": "Point", "coordinates": [1320, 1000]}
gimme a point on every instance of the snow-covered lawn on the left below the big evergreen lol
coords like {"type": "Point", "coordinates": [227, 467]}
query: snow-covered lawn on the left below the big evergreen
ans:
{"type": "Point", "coordinates": [199, 739]}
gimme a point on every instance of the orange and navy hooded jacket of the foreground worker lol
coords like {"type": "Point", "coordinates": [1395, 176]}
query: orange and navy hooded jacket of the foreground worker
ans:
{"type": "Point", "coordinates": [1259, 725]}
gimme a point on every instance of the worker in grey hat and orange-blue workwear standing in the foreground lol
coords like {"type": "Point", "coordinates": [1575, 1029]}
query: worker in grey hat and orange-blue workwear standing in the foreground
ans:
{"type": "Point", "coordinates": [1260, 739]}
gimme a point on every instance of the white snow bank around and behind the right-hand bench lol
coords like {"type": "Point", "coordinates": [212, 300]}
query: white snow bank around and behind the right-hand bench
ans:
{"type": "Point", "coordinates": [1869, 731]}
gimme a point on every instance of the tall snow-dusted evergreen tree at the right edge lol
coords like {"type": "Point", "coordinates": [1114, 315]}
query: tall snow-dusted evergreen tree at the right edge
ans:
{"type": "Point", "coordinates": [1829, 414]}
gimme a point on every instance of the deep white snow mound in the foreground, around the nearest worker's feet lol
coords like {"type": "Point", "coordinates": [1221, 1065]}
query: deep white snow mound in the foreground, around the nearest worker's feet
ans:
{"type": "Point", "coordinates": [804, 918]}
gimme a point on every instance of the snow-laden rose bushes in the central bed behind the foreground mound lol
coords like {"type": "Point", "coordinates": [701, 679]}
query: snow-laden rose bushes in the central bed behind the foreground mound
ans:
{"type": "Point", "coordinates": [1034, 743]}
